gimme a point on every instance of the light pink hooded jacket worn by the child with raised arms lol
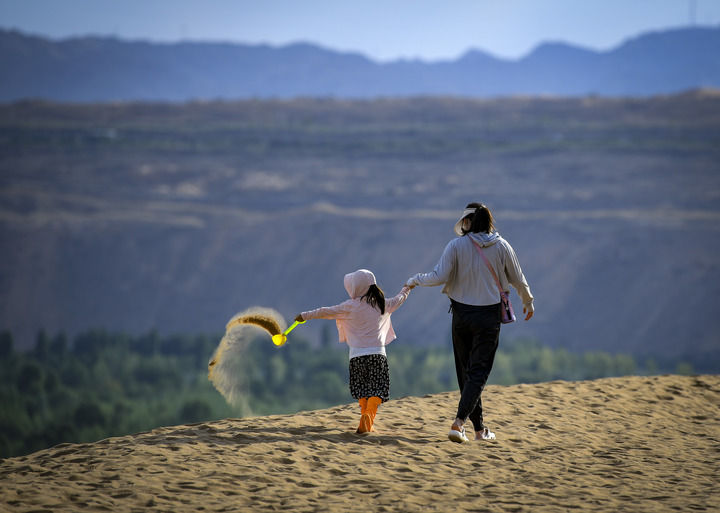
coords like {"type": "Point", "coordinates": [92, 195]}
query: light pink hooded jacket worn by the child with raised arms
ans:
{"type": "Point", "coordinates": [360, 324]}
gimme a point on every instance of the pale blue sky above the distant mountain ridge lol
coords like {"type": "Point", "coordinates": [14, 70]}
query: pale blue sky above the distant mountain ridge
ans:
{"type": "Point", "coordinates": [381, 29]}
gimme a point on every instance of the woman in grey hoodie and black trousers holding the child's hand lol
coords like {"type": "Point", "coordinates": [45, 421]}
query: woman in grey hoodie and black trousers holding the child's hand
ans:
{"type": "Point", "coordinates": [475, 304]}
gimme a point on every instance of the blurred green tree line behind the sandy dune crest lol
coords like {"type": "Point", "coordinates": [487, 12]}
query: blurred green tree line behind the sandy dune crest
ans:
{"type": "Point", "coordinates": [104, 384]}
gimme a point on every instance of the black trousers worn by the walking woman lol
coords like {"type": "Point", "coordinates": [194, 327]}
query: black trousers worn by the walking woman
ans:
{"type": "Point", "coordinates": [475, 334]}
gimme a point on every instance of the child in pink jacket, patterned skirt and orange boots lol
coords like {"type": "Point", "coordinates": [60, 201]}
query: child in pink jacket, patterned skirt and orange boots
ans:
{"type": "Point", "coordinates": [363, 322]}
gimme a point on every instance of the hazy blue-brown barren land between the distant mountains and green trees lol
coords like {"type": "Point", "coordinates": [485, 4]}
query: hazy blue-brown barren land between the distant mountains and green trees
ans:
{"type": "Point", "coordinates": [176, 217]}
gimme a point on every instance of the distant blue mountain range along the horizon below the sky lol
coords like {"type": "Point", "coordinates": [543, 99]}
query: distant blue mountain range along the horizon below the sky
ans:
{"type": "Point", "coordinates": [93, 69]}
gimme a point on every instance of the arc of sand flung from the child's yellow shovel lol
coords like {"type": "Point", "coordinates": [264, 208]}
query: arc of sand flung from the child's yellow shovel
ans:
{"type": "Point", "coordinates": [224, 368]}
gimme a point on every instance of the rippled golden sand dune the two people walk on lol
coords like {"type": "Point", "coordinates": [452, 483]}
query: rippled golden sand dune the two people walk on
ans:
{"type": "Point", "coordinates": [623, 444]}
